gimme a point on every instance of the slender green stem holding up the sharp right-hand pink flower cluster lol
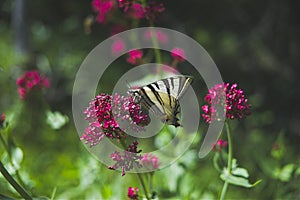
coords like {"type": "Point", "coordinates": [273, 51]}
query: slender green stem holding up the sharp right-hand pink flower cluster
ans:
{"type": "Point", "coordinates": [229, 161]}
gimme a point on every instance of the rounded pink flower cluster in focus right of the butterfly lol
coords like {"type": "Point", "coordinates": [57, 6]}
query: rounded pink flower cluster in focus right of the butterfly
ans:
{"type": "Point", "coordinates": [236, 104]}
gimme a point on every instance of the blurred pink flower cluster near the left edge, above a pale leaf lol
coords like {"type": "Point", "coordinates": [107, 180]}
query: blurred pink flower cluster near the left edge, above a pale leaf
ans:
{"type": "Point", "coordinates": [31, 80]}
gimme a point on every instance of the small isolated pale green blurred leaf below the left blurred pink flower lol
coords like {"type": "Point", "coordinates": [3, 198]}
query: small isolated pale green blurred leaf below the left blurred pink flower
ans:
{"type": "Point", "coordinates": [56, 120]}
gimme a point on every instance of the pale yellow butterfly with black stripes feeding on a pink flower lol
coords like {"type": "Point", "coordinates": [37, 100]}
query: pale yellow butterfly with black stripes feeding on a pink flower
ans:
{"type": "Point", "coordinates": [162, 97]}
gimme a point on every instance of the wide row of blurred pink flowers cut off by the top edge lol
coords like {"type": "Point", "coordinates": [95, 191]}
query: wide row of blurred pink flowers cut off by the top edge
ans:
{"type": "Point", "coordinates": [133, 8]}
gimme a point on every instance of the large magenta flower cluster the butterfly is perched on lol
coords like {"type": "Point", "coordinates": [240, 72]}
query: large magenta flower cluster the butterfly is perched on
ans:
{"type": "Point", "coordinates": [101, 115]}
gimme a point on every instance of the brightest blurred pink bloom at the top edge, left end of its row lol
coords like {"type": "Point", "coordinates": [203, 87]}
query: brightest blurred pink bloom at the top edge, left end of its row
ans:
{"type": "Point", "coordinates": [102, 7]}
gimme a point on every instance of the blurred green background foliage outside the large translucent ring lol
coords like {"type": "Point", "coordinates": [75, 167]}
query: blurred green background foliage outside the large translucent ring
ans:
{"type": "Point", "coordinates": [253, 43]}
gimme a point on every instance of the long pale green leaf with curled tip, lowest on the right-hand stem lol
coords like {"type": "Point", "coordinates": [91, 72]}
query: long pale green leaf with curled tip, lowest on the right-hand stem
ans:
{"type": "Point", "coordinates": [235, 180]}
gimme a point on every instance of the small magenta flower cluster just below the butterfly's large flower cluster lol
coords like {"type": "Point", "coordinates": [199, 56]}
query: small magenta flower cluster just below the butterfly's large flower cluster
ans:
{"type": "Point", "coordinates": [129, 160]}
